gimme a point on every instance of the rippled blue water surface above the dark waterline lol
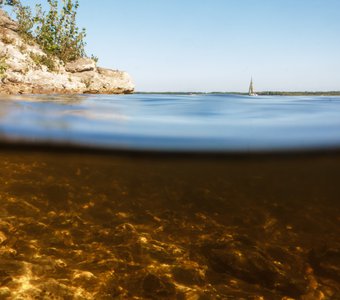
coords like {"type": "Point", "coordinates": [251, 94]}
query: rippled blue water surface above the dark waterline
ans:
{"type": "Point", "coordinates": [164, 122]}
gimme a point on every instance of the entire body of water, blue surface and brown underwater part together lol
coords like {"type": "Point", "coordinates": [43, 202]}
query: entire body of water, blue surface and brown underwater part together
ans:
{"type": "Point", "coordinates": [169, 197]}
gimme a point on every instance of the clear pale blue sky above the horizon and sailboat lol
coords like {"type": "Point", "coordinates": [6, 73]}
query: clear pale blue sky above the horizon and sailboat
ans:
{"type": "Point", "coordinates": [217, 45]}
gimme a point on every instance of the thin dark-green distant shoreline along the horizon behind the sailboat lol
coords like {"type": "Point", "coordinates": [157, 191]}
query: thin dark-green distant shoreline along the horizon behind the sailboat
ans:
{"type": "Point", "coordinates": [264, 93]}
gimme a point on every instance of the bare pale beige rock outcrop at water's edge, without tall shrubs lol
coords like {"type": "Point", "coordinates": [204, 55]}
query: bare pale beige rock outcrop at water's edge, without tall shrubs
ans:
{"type": "Point", "coordinates": [25, 69]}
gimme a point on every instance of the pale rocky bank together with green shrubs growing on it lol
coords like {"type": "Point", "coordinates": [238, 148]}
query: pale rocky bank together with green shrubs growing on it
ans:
{"type": "Point", "coordinates": [37, 59]}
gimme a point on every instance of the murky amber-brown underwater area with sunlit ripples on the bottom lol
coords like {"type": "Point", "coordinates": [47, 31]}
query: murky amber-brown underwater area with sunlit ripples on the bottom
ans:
{"type": "Point", "coordinates": [82, 226]}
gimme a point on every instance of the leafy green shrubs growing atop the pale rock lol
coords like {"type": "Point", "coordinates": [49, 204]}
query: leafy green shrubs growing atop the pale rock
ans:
{"type": "Point", "coordinates": [55, 30]}
